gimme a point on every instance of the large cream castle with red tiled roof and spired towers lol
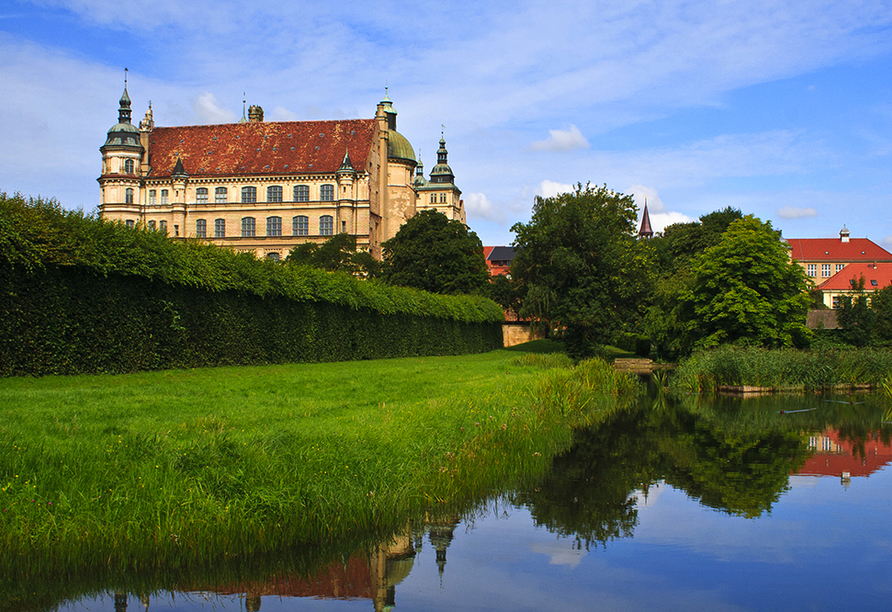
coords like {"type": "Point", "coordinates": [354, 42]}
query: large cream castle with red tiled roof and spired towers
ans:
{"type": "Point", "coordinates": [264, 187]}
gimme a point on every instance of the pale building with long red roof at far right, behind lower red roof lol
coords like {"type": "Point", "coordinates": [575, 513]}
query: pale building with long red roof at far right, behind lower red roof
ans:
{"type": "Point", "coordinates": [821, 258]}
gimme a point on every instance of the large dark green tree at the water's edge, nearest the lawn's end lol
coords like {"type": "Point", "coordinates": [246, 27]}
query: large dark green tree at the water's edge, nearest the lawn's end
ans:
{"type": "Point", "coordinates": [581, 265]}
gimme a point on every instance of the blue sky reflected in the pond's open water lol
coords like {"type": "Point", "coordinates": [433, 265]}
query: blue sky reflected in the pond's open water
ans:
{"type": "Point", "coordinates": [822, 547]}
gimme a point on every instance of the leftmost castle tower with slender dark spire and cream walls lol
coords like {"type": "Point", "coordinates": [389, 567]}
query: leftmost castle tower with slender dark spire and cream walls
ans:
{"type": "Point", "coordinates": [122, 156]}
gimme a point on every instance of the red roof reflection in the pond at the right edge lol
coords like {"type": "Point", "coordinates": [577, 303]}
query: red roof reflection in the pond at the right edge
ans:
{"type": "Point", "coordinates": [845, 459]}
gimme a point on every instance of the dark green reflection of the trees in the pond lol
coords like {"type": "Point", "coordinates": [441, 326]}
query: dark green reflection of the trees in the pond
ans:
{"type": "Point", "coordinates": [590, 490]}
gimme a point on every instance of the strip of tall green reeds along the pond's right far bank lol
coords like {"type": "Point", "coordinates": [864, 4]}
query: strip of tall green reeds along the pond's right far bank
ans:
{"type": "Point", "coordinates": [788, 369]}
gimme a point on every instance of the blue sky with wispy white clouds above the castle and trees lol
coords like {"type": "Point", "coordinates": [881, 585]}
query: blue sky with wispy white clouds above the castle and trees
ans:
{"type": "Point", "coordinates": [781, 108]}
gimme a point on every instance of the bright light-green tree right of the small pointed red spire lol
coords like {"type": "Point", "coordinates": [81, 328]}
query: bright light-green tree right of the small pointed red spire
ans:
{"type": "Point", "coordinates": [746, 289]}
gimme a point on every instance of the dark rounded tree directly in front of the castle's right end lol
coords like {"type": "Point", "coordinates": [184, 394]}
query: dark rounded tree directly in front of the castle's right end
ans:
{"type": "Point", "coordinates": [436, 254]}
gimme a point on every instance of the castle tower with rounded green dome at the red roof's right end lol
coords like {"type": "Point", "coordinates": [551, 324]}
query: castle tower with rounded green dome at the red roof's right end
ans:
{"type": "Point", "coordinates": [398, 201]}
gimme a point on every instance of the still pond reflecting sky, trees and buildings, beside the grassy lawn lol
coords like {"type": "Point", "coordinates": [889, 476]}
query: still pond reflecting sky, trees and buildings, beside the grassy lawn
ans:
{"type": "Point", "coordinates": [772, 503]}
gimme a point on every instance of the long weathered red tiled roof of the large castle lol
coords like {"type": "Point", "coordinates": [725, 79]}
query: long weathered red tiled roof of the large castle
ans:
{"type": "Point", "coordinates": [262, 148]}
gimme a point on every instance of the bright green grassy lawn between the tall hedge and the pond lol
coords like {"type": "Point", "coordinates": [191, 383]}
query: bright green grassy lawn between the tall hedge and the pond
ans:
{"type": "Point", "coordinates": [175, 468]}
